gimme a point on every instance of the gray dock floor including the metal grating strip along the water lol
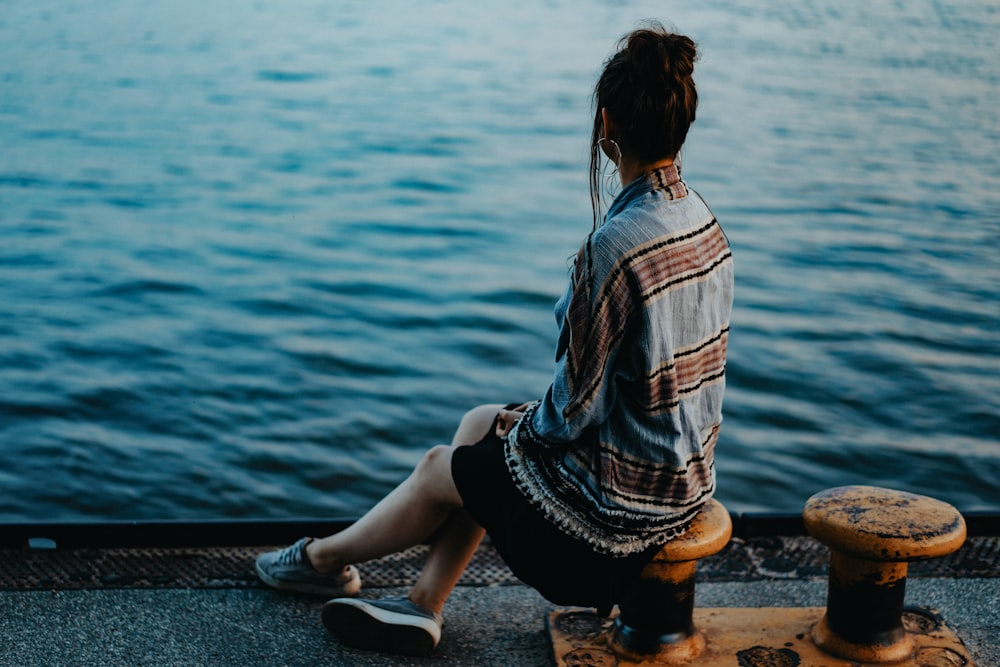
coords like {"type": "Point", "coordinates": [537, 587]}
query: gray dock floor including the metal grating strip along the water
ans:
{"type": "Point", "coordinates": [204, 606]}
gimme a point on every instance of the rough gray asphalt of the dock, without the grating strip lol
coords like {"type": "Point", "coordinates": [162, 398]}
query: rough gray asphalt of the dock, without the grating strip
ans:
{"type": "Point", "coordinates": [501, 625]}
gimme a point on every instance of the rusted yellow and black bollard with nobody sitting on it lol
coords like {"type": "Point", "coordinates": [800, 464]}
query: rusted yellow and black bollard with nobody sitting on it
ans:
{"type": "Point", "coordinates": [872, 534]}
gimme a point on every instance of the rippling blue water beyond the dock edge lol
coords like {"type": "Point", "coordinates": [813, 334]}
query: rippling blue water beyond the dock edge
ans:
{"type": "Point", "coordinates": [256, 257]}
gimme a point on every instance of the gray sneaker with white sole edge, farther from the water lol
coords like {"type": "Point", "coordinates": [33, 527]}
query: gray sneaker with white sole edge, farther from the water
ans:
{"type": "Point", "coordinates": [391, 625]}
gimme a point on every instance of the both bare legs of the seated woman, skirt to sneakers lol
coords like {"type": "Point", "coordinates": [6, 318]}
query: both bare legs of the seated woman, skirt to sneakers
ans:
{"type": "Point", "coordinates": [425, 506]}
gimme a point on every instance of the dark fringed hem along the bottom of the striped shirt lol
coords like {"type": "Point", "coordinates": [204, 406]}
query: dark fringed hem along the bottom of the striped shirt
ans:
{"type": "Point", "coordinates": [635, 532]}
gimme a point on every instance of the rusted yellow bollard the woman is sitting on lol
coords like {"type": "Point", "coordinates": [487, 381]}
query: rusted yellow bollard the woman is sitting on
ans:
{"type": "Point", "coordinates": [655, 621]}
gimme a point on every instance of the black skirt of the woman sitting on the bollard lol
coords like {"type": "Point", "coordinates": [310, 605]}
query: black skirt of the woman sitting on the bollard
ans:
{"type": "Point", "coordinates": [564, 569]}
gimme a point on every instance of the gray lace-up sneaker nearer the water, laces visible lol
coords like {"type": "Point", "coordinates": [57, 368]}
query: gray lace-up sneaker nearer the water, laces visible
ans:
{"type": "Point", "coordinates": [289, 569]}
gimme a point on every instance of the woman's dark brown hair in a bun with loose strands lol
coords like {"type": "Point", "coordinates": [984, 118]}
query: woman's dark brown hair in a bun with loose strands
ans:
{"type": "Point", "coordinates": [648, 89]}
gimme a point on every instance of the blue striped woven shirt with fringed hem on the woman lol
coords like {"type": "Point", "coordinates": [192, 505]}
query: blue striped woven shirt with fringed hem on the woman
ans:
{"type": "Point", "coordinates": [619, 452]}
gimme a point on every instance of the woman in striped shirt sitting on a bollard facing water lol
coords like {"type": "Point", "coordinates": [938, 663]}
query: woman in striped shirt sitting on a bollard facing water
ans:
{"type": "Point", "coordinates": [580, 489]}
